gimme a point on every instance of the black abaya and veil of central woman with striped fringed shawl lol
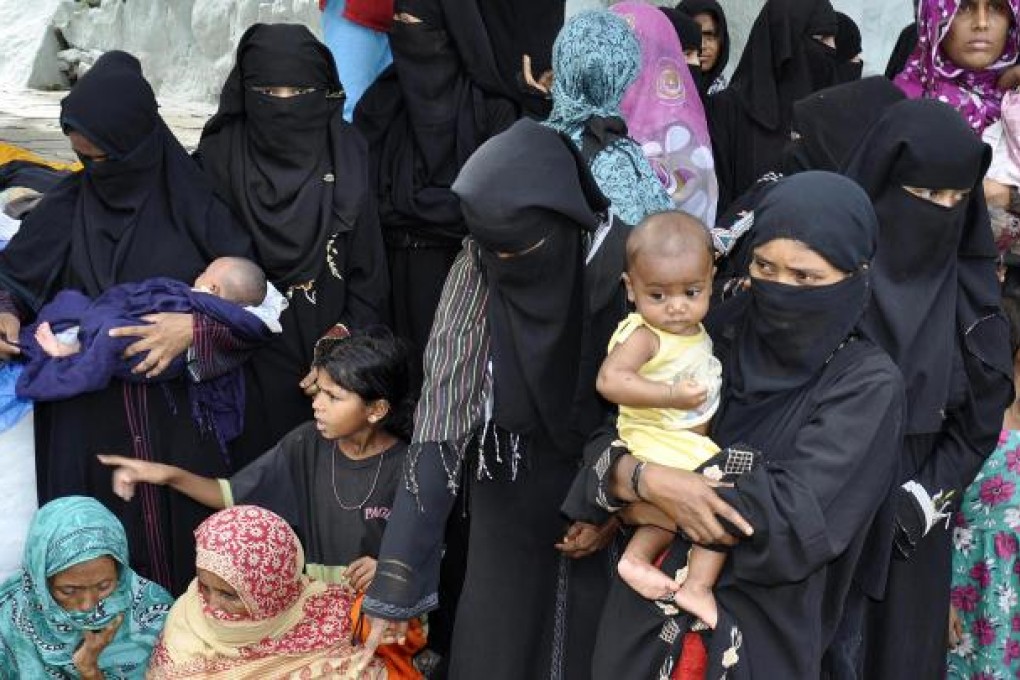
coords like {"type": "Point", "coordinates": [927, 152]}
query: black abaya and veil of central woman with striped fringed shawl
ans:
{"type": "Point", "coordinates": [544, 317]}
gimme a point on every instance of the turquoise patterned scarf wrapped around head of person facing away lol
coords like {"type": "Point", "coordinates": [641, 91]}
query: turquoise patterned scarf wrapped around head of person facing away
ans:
{"type": "Point", "coordinates": [596, 58]}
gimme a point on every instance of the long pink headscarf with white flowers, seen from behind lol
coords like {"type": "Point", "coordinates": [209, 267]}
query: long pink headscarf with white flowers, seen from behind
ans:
{"type": "Point", "coordinates": [665, 115]}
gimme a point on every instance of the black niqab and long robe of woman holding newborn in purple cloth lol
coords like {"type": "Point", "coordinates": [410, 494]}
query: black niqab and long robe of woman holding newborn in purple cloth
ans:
{"type": "Point", "coordinates": [146, 211]}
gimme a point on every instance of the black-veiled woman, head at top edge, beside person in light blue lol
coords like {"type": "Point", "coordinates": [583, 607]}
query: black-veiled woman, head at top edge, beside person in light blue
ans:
{"type": "Point", "coordinates": [423, 119]}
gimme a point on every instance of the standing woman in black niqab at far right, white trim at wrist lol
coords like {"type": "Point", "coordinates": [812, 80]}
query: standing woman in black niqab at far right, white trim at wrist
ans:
{"type": "Point", "coordinates": [936, 310]}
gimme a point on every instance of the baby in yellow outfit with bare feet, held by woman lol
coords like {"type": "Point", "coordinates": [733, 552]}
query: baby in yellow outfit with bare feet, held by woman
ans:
{"type": "Point", "coordinates": [662, 374]}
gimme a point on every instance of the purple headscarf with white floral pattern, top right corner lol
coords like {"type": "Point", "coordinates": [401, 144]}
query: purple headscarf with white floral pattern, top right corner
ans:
{"type": "Point", "coordinates": [931, 75]}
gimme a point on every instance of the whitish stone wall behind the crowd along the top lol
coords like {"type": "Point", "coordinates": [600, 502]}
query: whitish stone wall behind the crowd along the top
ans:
{"type": "Point", "coordinates": [187, 46]}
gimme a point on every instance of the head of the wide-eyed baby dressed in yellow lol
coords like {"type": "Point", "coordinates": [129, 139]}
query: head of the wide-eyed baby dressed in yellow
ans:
{"type": "Point", "coordinates": [671, 265]}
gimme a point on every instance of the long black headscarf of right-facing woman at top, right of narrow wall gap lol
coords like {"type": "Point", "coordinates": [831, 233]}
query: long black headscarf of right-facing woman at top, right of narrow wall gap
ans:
{"type": "Point", "coordinates": [782, 62]}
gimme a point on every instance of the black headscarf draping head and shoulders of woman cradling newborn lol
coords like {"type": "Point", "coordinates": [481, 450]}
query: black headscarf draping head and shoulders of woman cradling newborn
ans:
{"type": "Point", "coordinates": [145, 212]}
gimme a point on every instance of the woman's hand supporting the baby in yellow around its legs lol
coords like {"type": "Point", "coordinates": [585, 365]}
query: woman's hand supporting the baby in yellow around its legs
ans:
{"type": "Point", "coordinates": [690, 500]}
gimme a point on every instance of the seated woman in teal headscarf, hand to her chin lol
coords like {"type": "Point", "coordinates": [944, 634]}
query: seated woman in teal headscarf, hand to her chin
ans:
{"type": "Point", "coordinates": [76, 609]}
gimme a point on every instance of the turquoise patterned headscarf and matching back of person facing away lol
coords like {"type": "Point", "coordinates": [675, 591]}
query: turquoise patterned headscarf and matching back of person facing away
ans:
{"type": "Point", "coordinates": [595, 60]}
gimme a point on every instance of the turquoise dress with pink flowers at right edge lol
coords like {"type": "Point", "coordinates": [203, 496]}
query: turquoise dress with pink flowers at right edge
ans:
{"type": "Point", "coordinates": [987, 569]}
